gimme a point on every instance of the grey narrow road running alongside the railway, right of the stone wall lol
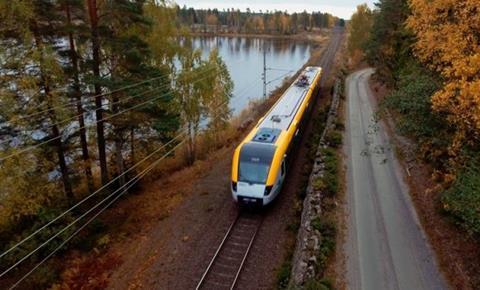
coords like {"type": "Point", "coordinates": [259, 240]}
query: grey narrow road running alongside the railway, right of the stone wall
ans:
{"type": "Point", "coordinates": [386, 247]}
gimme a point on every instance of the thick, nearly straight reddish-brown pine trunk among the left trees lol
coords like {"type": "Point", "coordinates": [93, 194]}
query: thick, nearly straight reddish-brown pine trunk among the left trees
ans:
{"type": "Point", "coordinates": [92, 9]}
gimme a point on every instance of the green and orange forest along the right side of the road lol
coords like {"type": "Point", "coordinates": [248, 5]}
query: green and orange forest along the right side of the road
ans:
{"type": "Point", "coordinates": [428, 54]}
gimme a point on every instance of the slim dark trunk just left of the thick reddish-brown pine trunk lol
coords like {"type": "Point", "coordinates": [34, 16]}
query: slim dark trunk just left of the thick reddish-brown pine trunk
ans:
{"type": "Point", "coordinates": [80, 111]}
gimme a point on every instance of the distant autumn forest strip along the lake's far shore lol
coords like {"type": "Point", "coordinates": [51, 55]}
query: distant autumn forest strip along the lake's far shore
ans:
{"type": "Point", "coordinates": [234, 21]}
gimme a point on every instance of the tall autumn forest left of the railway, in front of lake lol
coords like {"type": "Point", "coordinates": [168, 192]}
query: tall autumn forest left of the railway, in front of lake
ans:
{"type": "Point", "coordinates": [92, 94]}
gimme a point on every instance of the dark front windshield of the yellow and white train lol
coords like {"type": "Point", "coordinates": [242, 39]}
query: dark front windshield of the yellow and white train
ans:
{"type": "Point", "coordinates": [255, 160]}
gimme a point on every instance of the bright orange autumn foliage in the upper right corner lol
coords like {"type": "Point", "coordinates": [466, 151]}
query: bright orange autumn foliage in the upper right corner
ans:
{"type": "Point", "coordinates": [448, 41]}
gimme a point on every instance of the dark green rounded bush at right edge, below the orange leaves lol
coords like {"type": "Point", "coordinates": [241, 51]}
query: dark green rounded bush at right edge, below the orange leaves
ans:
{"type": "Point", "coordinates": [462, 200]}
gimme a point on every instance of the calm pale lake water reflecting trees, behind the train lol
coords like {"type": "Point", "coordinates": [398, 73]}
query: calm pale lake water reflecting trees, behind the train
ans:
{"type": "Point", "coordinates": [244, 59]}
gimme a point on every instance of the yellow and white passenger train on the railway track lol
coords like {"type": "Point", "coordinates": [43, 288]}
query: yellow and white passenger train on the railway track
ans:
{"type": "Point", "coordinates": [260, 161]}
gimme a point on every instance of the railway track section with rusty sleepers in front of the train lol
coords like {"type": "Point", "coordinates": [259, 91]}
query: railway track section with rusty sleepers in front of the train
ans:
{"type": "Point", "coordinates": [229, 259]}
